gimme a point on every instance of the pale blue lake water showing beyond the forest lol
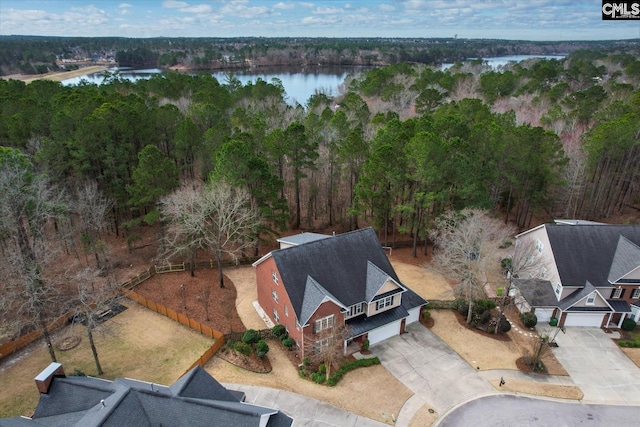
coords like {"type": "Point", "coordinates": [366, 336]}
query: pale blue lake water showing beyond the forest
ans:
{"type": "Point", "coordinates": [299, 83]}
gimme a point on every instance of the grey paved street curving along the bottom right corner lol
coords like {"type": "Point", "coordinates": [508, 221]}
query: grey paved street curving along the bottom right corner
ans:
{"type": "Point", "coordinates": [509, 410]}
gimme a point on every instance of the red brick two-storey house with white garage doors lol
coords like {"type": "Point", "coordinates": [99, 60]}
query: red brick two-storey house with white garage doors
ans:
{"type": "Point", "coordinates": [315, 282]}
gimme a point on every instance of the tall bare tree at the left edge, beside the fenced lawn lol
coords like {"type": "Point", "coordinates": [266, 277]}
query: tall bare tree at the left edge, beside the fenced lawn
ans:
{"type": "Point", "coordinates": [29, 203]}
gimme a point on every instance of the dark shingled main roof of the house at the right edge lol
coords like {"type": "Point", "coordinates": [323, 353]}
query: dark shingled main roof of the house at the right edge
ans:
{"type": "Point", "coordinates": [586, 252]}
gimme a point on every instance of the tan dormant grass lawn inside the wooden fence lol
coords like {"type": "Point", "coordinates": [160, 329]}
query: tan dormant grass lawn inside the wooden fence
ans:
{"type": "Point", "coordinates": [141, 345]}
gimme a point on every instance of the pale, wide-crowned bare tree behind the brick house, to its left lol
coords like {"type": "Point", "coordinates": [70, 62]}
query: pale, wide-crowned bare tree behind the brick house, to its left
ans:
{"type": "Point", "coordinates": [216, 217]}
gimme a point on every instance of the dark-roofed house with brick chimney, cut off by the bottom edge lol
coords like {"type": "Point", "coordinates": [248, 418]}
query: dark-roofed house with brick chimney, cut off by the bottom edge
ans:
{"type": "Point", "coordinates": [196, 399]}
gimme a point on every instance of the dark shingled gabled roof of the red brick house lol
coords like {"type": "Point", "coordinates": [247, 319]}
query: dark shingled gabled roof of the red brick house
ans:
{"type": "Point", "coordinates": [348, 269]}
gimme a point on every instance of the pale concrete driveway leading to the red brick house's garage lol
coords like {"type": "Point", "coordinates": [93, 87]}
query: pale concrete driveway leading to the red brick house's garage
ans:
{"type": "Point", "coordinates": [437, 375]}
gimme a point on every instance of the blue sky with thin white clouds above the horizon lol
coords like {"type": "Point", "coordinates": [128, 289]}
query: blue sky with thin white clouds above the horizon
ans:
{"type": "Point", "coordinates": [496, 19]}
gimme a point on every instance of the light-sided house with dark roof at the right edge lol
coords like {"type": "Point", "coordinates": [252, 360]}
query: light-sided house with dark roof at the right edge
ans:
{"type": "Point", "coordinates": [589, 273]}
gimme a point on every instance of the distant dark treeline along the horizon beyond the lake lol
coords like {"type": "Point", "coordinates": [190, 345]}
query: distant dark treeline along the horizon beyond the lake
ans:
{"type": "Point", "coordinates": [32, 55]}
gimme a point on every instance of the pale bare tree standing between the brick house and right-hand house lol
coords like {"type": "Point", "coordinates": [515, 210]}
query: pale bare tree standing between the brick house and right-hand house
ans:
{"type": "Point", "coordinates": [464, 243]}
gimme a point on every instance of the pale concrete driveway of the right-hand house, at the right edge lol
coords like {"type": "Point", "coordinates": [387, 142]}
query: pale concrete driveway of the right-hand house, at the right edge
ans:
{"type": "Point", "coordinates": [596, 365]}
